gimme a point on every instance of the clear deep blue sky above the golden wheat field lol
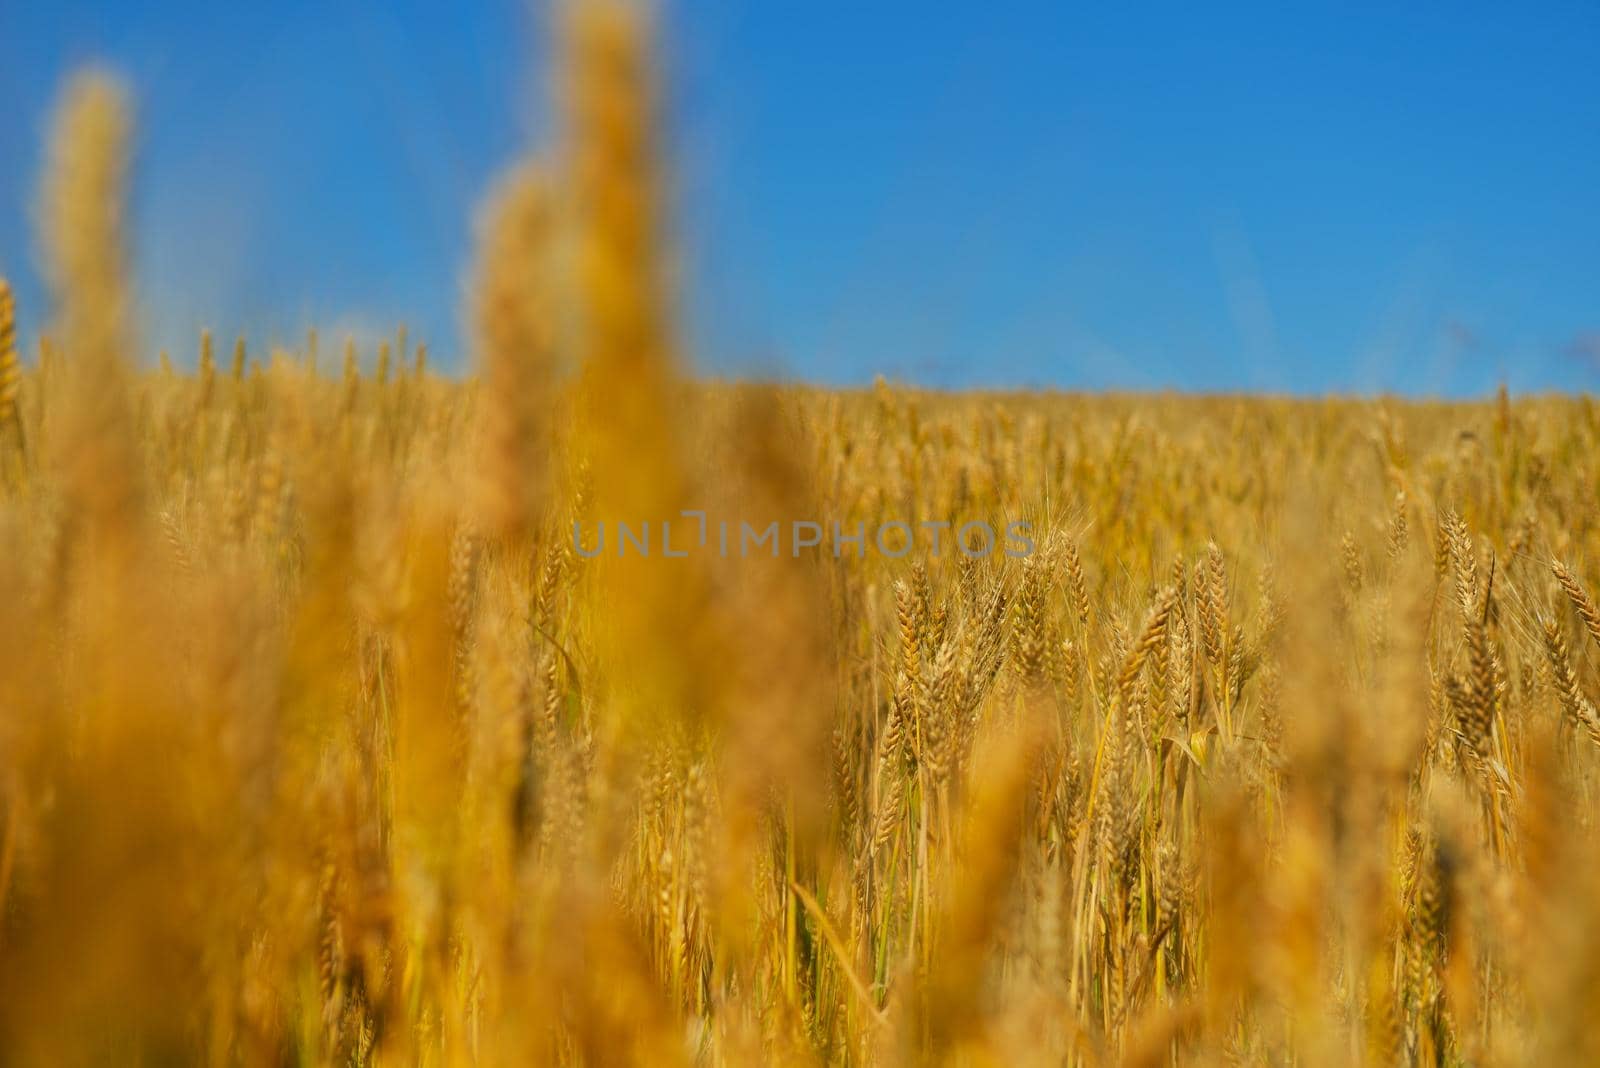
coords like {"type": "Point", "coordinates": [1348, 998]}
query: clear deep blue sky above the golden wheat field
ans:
{"type": "Point", "coordinates": [1278, 197]}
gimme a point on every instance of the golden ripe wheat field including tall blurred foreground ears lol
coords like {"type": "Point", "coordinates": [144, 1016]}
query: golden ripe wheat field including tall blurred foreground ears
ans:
{"type": "Point", "coordinates": [330, 736]}
